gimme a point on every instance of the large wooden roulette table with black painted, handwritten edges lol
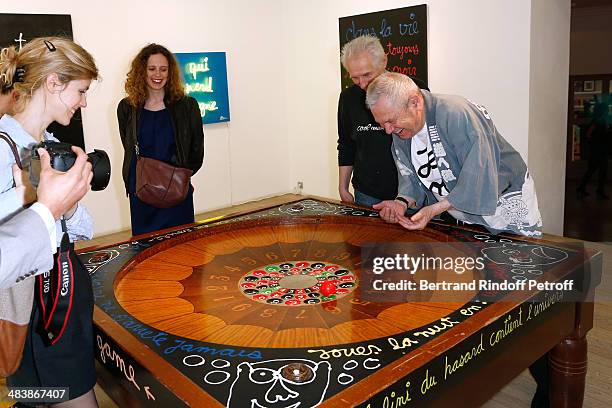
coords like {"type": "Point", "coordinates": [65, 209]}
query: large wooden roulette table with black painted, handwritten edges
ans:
{"type": "Point", "coordinates": [283, 307]}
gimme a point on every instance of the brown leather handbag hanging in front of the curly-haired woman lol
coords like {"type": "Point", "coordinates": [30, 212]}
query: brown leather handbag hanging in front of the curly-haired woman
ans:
{"type": "Point", "coordinates": [160, 184]}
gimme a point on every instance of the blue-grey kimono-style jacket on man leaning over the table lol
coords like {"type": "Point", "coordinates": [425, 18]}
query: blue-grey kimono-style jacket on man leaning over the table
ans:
{"type": "Point", "coordinates": [487, 179]}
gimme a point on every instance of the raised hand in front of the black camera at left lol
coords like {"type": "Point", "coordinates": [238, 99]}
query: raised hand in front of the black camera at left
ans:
{"type": "Point", "coordinates": [60, 191]}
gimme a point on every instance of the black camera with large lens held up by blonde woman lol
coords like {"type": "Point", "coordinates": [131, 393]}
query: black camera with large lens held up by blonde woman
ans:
{"type": "Point", "coordinates": [63, 158]}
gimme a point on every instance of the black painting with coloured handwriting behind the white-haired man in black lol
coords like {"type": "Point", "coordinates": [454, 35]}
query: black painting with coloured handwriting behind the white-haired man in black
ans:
{"type": "Point", "coordinates": [402, 33]}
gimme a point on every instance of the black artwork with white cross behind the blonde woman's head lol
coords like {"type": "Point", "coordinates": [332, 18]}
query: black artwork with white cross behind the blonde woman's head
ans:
{"type": "Point", "coordinates": [17, 30]}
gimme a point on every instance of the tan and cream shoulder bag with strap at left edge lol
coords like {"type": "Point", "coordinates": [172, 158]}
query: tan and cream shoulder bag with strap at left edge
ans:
{"type": "Point", "coordinates": [15, 309]}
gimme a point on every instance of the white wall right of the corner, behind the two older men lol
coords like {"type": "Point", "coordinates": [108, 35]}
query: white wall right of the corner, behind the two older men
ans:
{"type": "Point", "coordinates": [477, 48]}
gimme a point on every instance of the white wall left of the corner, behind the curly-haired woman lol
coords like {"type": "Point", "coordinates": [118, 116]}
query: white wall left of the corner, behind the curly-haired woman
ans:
{"type": "Point", "coordinates": [242, 156]}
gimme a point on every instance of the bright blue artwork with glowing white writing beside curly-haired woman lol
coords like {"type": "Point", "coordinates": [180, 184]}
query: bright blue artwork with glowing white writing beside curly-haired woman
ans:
{"type": "Point", "coordinates": [205, 76]}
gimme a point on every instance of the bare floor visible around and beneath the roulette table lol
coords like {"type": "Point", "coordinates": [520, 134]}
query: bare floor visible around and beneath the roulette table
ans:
{"type": "Point", "coordinates": [598, 393]}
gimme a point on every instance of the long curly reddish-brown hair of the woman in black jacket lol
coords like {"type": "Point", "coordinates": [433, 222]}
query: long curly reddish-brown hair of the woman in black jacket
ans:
{"type": "Point", "coordinates": [136, 85]}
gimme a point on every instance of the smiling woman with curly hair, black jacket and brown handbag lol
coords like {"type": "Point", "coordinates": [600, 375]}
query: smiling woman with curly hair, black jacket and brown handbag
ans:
{"type": "Point", "coordinates": [159, 123]}
